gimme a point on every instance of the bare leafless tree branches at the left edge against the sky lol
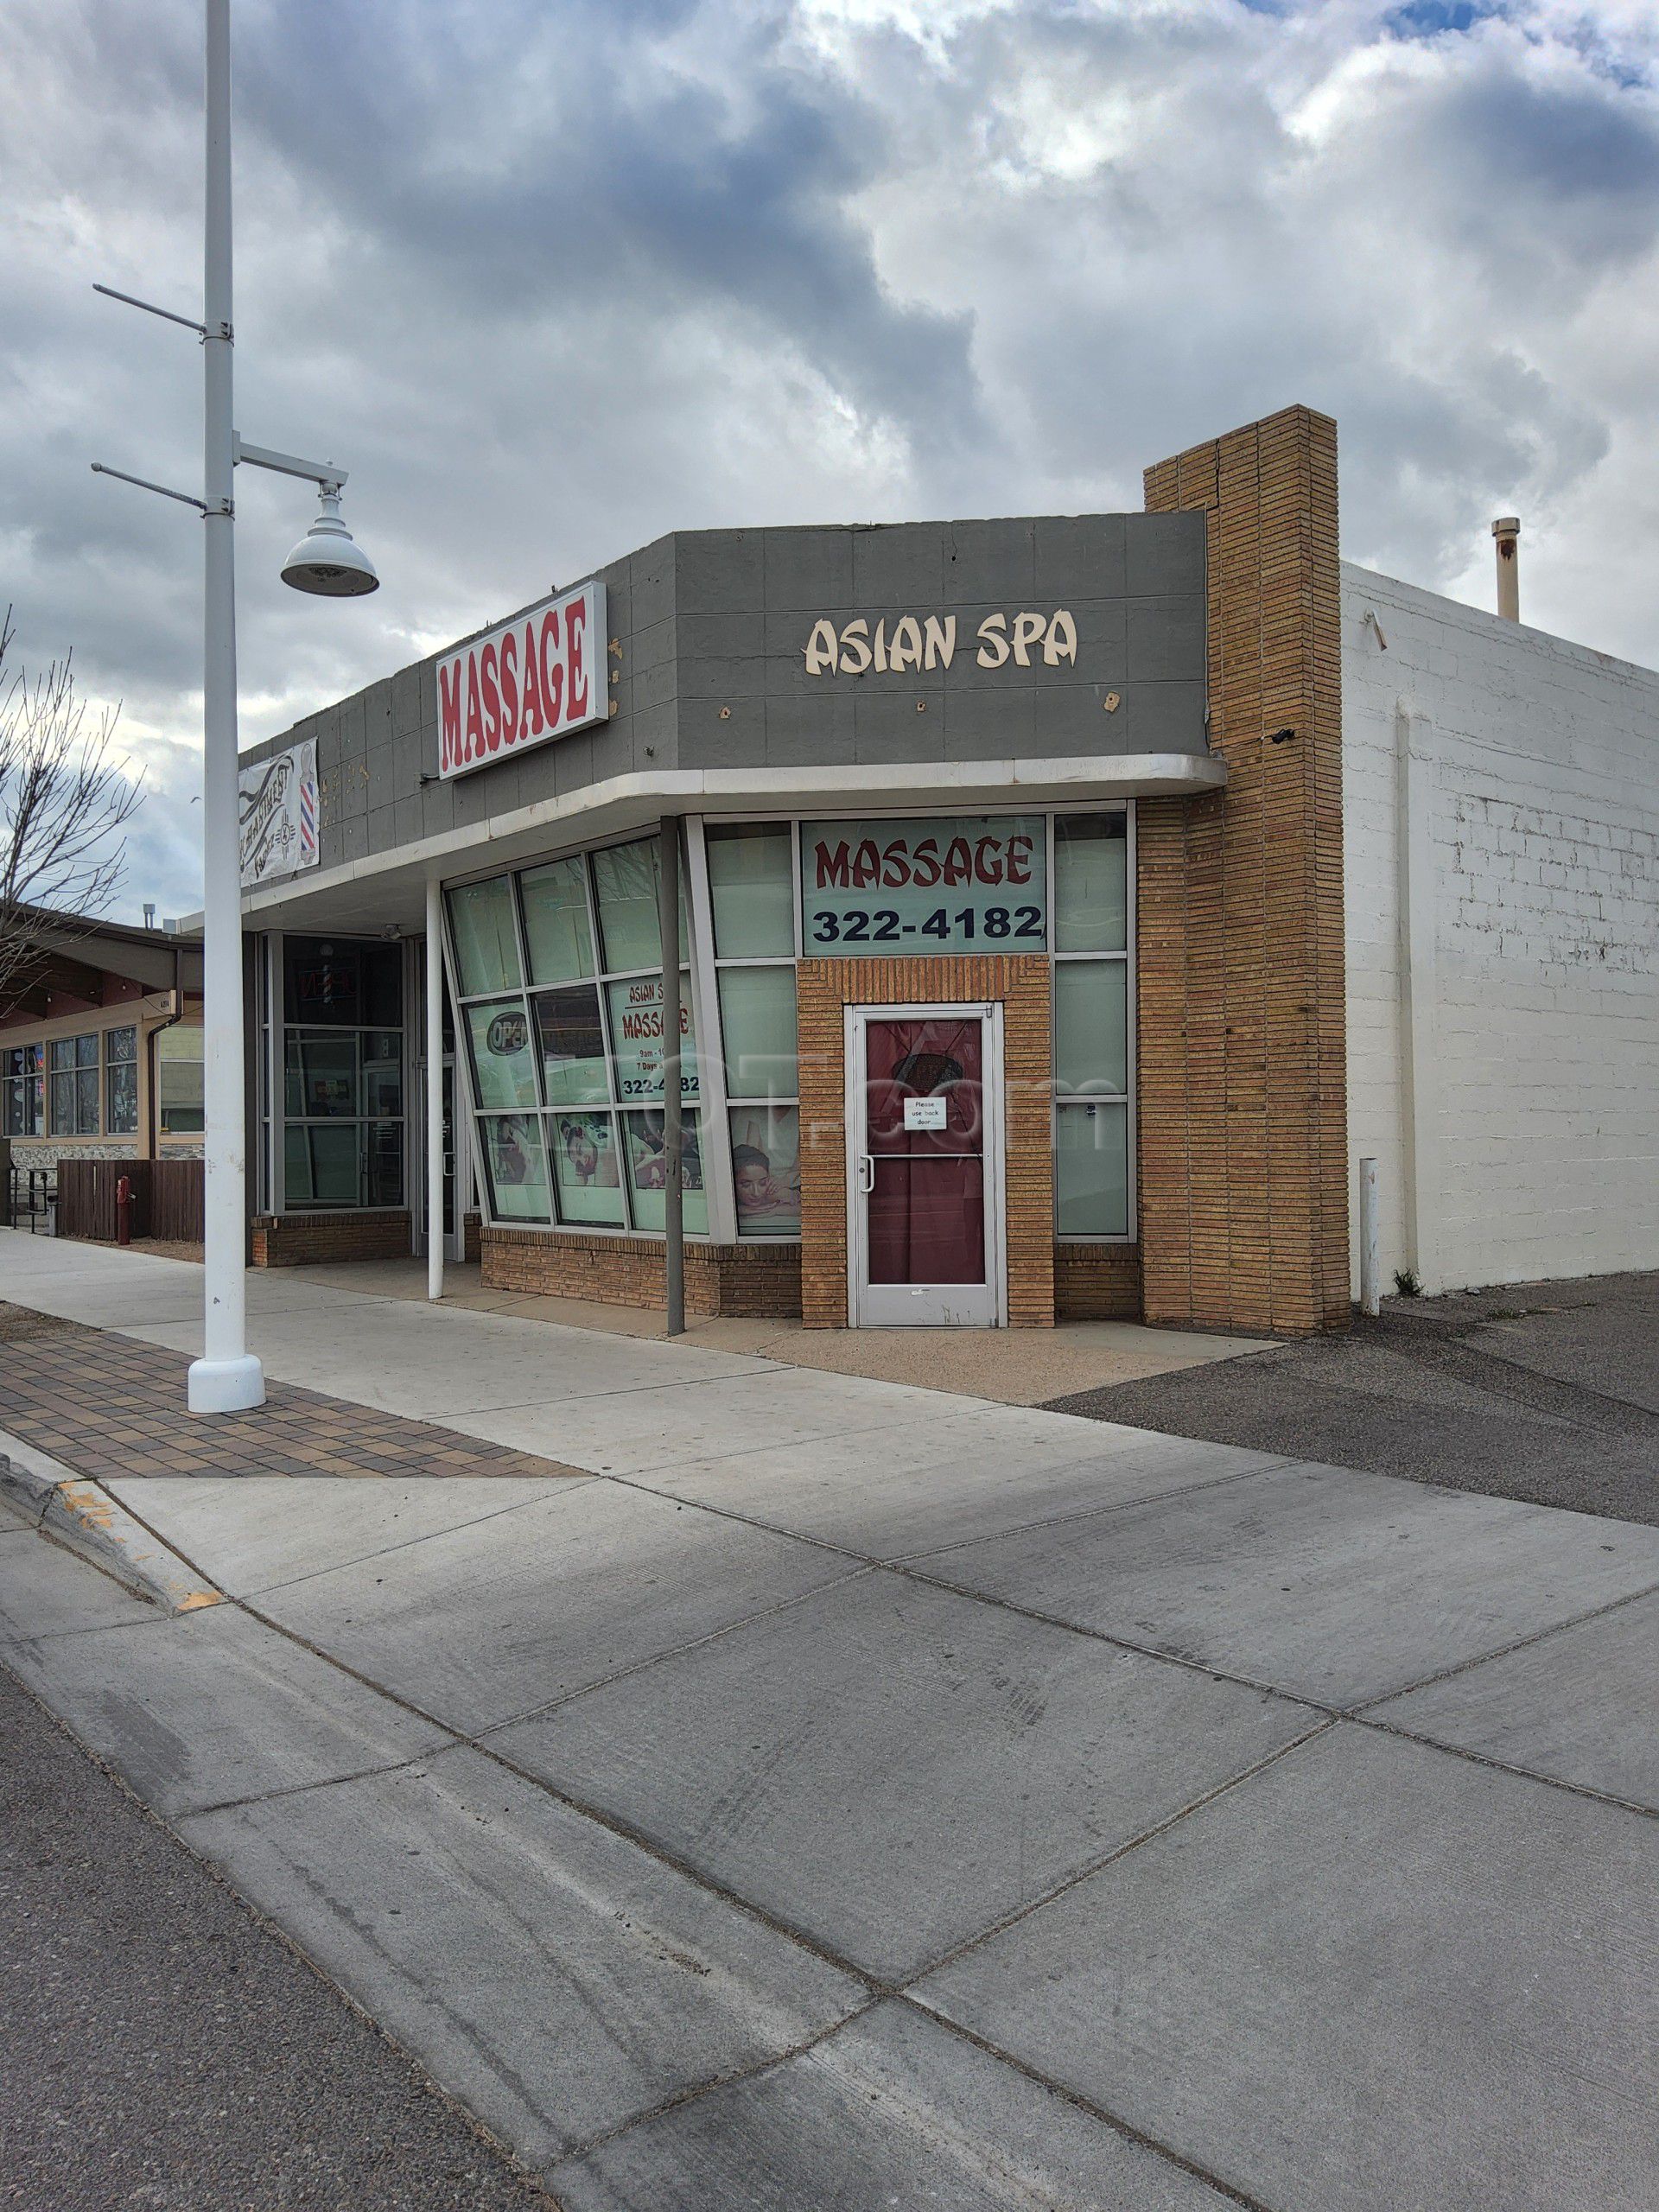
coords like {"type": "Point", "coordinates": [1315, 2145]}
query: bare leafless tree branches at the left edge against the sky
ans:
{"type": "Point", "coordinates": [65, 797]}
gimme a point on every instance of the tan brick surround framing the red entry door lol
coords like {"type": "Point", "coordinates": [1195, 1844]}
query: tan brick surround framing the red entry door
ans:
{"type": "Point", "coordinates": [1021, 985]}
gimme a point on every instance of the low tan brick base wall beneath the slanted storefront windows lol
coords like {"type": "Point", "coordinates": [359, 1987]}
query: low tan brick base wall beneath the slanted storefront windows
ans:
{"type": "Point", "coordinates": [758, 1282]}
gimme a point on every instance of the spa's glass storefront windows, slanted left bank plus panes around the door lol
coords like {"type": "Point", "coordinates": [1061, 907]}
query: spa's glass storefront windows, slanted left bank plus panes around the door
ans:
{"type": "Point", "coordinates": [572, 1043]}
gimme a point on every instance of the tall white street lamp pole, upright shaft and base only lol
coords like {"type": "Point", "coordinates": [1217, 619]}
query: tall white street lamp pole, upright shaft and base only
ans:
{"type": "Point", "coordinates": [227, 1379]}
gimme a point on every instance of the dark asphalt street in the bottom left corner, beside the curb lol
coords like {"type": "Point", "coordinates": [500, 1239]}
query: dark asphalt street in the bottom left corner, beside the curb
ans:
{"type": "Point", "coordinates": [165, 2052]}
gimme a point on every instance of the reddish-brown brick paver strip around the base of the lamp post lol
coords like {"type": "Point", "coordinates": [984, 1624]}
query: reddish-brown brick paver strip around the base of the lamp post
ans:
{"type": "Point", "coordinates": [109, 1406]}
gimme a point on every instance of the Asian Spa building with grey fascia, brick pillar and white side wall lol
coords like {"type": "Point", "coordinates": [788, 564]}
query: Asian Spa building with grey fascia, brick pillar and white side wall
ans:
{"type": "Point", "coordinates": [1070, 906]}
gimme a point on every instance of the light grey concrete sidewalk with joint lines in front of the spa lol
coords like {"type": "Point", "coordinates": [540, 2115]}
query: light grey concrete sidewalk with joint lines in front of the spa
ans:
{"type": "Point", "coordinates": [859, 1795]}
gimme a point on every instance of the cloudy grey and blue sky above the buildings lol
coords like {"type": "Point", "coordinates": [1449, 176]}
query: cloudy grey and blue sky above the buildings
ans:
{"type": "Point", "coordinates": [559, 275]}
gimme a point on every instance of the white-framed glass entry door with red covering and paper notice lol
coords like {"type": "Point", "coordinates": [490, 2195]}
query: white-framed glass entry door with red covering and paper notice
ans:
{"type": "Point", "coordinates": [926, 1167]}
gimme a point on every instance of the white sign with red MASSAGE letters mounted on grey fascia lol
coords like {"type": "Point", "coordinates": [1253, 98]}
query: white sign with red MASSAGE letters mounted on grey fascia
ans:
{"type": "Point", "coordinates": [534, 680]}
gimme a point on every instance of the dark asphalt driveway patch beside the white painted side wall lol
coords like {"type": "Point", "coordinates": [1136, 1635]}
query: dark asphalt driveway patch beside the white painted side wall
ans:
{"type": "Point", "coordinates": [1545, 1392]}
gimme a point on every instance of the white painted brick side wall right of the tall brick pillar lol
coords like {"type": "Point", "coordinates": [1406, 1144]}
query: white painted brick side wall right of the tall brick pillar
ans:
{"type": "Point", "coordinates": [1545, 817]}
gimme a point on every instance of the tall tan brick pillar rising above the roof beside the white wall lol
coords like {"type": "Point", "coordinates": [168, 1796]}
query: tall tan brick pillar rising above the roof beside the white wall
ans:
{"type": "Point", "coordinates": [1242, 1019]}
